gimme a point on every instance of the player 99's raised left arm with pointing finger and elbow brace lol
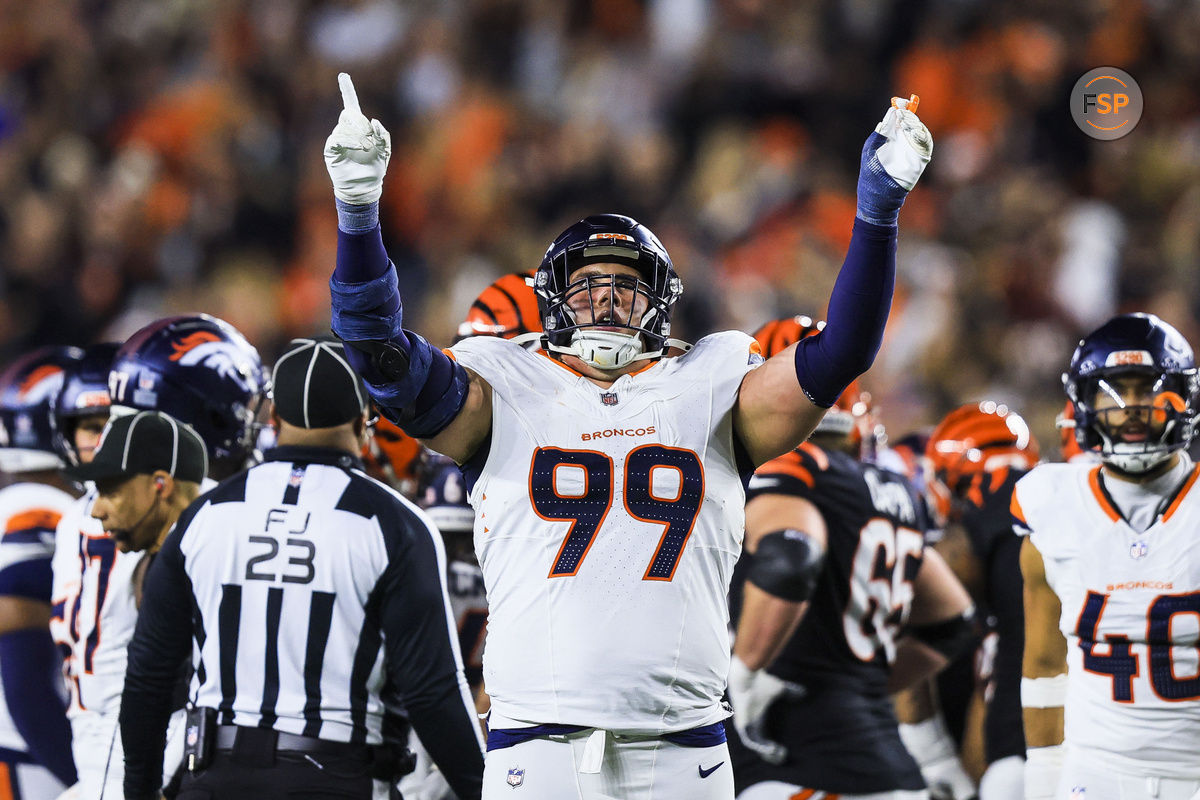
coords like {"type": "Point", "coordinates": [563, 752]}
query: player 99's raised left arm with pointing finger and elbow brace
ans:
{"type": "Point", "coordinates": [415, 384]}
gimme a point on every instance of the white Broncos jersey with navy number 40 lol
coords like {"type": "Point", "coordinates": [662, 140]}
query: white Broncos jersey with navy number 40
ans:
{"type": "Point", "coordinates": [1131, 613]}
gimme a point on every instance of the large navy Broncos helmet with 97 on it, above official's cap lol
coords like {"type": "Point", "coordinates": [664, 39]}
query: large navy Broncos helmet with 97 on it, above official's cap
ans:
{"type": "Point", "coordinates": [201, 371]}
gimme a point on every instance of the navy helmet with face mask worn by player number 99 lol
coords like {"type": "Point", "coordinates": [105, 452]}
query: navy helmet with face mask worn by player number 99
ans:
{"type": "Point", "coordinates": [607, 238]}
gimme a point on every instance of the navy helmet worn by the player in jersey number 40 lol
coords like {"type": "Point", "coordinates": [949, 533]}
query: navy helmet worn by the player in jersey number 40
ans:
{"type": "Point", "coordinates": [1141, 345]}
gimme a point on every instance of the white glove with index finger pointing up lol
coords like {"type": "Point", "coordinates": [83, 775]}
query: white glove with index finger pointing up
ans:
{"type": "Point", "coordinates": [357, 152]}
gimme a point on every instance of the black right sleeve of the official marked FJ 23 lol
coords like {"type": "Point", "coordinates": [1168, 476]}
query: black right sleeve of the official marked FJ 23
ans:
{"type": "Point", "coordinates": [421, 660]}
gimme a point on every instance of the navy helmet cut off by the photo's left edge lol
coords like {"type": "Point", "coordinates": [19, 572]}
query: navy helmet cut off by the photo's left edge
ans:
{"type": "Point", "coordinates": [27, 394]}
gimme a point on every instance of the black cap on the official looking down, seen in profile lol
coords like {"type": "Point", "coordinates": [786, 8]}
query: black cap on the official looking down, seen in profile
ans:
{"type": "Point", "coordinates": [142, 444]}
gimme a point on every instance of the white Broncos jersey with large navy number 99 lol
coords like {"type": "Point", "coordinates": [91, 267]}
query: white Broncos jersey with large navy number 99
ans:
{"type": "Point", "coordinates": [608, 524]}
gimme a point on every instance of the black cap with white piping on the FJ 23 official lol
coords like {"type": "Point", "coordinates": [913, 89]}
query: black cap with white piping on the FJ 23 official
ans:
{"type": "Point", "coordinates": [316, 387]}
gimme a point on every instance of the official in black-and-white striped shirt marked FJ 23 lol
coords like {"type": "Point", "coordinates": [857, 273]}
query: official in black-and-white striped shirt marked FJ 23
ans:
{"type": "Point", "coordinates": [316, 601]}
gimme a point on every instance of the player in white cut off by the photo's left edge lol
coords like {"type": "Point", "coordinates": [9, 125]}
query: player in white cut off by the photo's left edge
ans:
{"type": "Point", "coordinates": [35, 739]}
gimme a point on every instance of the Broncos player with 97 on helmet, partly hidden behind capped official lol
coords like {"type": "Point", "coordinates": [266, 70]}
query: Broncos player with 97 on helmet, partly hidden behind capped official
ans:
{"type": "Point", "coordinates": [203, 372]}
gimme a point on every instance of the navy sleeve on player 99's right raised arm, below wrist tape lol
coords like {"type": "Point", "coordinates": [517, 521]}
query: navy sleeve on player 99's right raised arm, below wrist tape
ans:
{"type": "Point", "coordinates": [859, 312]}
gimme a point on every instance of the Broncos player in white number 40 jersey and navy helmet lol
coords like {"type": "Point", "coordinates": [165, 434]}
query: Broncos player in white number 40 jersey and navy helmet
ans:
{"type": "Point", "coordinates": [1112, 564]}
